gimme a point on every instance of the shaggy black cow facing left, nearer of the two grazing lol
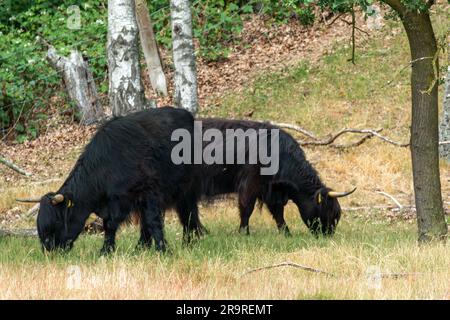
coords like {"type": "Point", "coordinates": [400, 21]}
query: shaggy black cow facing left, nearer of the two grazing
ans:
{"type": "Point", "coordinates": [125, 167]}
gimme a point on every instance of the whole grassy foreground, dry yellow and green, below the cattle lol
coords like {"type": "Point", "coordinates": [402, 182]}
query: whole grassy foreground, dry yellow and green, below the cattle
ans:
{"type": "Point", "coordinates": [210, 270]}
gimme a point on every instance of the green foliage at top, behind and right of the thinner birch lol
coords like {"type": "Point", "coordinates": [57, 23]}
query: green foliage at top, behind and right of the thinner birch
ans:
{"type": "Point", "coordinates": [217, 22]}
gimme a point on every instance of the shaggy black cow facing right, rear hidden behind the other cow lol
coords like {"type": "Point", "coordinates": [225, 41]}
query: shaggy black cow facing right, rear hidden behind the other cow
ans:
{"type": "Point", "coordinates": [295, 180]}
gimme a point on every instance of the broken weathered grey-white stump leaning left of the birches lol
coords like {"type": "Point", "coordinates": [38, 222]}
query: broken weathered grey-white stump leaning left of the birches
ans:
{"type": "Point", "coordinates": [79, 84]}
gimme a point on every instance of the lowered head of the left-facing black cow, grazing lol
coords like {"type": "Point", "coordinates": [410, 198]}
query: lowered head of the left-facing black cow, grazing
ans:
{"type": "Point", "coordinates": [59, 221]}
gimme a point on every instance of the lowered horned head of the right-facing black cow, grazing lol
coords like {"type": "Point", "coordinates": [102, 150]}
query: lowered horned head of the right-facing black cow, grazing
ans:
{"type": "Point", "coordinates": [321, 210]}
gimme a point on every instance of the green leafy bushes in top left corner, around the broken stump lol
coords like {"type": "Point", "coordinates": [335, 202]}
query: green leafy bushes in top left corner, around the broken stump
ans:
{"type": "Point", "coordinates": [26, 79]}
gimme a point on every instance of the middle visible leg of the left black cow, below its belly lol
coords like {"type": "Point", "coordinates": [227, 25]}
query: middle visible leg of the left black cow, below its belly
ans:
{"type": "Point", "coordinates": [152, 221]}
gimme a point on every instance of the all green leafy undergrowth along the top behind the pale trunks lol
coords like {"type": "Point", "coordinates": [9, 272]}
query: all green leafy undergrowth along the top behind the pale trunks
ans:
{"type": "Point", "coordinates": [27, 81]}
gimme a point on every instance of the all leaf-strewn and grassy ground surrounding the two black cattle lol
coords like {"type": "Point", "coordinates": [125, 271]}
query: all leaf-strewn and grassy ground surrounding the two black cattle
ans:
{"type": "Point", "coordinates": [374, 253]}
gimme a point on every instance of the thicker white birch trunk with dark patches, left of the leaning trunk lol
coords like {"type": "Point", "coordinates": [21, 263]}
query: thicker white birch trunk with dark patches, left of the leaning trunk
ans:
{"type": "Point", "coordinates": [126, 93]}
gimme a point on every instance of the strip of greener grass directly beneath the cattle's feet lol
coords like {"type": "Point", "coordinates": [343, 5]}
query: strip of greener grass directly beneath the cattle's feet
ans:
{"type": "Point", "coordinates": [223, 243]}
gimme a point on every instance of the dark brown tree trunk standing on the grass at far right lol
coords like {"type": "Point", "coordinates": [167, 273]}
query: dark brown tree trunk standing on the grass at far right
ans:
{"type": "Point", "coordinates": [424, 127]}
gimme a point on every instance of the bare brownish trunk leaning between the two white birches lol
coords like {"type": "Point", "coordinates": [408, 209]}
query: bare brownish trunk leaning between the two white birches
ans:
{"type": "Point", "coordinates": [150, 48]}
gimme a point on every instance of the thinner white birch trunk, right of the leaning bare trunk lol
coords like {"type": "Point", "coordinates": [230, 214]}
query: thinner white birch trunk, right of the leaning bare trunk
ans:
{"type": "Point", "coordinates": [185, 77]}
